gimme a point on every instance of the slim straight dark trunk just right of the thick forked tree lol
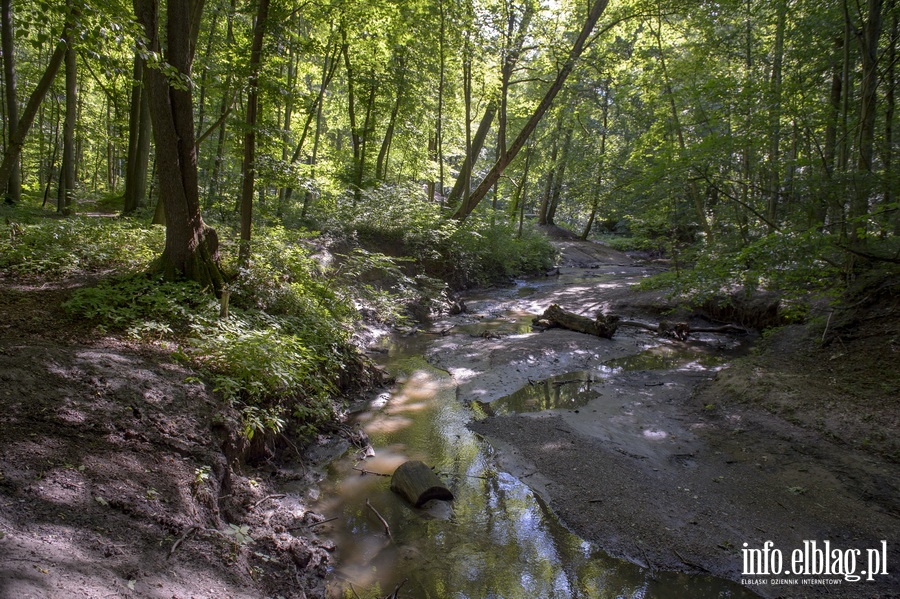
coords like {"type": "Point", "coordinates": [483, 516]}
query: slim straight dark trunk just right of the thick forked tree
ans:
{"type": "Point", "coordinates": [249, 165]}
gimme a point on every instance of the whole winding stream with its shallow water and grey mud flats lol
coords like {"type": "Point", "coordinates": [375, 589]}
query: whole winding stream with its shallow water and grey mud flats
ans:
{"type": "Point", "coordinates": [585, 467]}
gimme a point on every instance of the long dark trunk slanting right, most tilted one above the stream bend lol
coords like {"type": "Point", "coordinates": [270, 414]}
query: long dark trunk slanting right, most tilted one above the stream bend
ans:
{"type": "Point", "coordinates": [596, 9]}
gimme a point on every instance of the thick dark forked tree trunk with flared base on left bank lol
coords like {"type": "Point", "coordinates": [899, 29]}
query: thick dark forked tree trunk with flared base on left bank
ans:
{"type": "Point", "coordinates": [191, 247]}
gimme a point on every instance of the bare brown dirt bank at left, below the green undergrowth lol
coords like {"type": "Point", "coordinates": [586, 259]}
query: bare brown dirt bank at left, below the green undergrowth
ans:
{"type": "Point", "coordinates": [113, 474]}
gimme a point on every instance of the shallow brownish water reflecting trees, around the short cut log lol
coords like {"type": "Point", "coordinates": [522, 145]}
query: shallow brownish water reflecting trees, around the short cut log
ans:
{"type": "Point", "coordinates": [496, 539]}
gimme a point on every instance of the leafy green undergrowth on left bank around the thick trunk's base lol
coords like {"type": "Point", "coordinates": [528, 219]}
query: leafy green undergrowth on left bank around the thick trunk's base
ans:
{"type": "Point", "coordinates": [283, 355]}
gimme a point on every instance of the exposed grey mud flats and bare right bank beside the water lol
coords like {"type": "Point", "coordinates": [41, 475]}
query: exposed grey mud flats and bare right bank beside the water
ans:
{"type": "Point", "coordinates": [677, 469]}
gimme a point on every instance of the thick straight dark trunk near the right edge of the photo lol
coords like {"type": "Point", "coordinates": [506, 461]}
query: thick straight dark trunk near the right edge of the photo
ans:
{"type": "Point", "coordinates": [868, 97]}
